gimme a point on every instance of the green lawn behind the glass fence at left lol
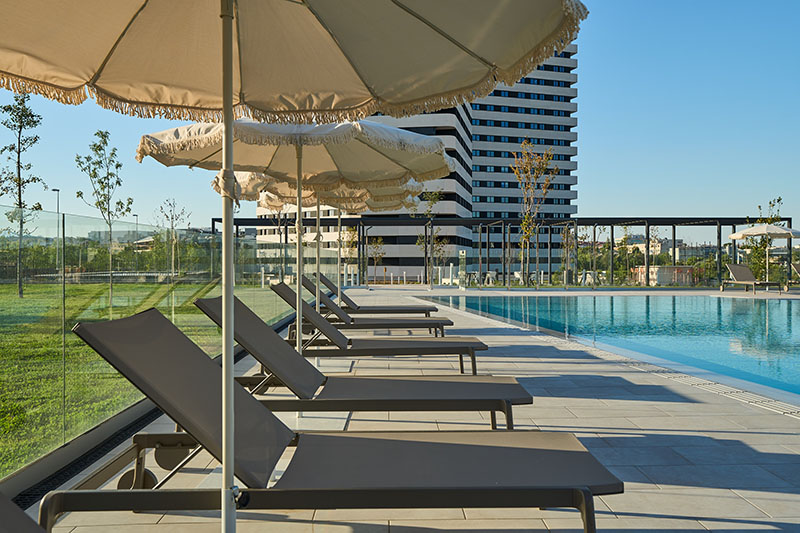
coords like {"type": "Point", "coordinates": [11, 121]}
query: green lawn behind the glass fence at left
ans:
{"type": "Point", "coordinates": [49, 395]}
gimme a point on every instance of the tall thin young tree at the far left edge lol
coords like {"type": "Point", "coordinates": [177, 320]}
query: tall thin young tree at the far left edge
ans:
{"type": "Point", "coordinates": [13, 181]}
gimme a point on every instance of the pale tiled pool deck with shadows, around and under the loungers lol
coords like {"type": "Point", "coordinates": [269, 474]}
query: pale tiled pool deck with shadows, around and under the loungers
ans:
{"type": "Point", "coordinates": [695, 455]}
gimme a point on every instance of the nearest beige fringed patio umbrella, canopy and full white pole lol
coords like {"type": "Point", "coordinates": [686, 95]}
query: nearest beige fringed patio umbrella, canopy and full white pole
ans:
{"type": "Point", "coordinates": [282, 61]}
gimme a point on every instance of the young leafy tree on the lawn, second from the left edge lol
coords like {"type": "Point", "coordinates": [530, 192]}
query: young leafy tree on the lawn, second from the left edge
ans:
{"type": "Point", "coordinates": [103, 168]}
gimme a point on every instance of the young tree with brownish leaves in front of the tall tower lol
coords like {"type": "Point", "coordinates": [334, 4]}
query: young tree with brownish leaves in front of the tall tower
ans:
{"type": "Point", "coordinates": [534, 174]}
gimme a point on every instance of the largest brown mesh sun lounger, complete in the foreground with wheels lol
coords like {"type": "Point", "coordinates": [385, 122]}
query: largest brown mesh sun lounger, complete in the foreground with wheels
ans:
{"type": "Point", "coordinates": [329, 470]}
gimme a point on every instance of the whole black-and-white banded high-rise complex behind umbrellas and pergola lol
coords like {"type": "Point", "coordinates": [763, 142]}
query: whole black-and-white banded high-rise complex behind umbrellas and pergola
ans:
{"type": "Point", "coordinates": [482, 138]}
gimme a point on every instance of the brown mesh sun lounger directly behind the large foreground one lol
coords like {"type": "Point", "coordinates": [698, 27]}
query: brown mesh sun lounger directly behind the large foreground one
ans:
{"type": "Point", "coordinates": [360, 393]}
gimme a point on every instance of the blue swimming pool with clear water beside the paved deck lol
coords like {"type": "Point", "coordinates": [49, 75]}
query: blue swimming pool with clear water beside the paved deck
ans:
{"type": "Point", "coordinates": [744, 338]}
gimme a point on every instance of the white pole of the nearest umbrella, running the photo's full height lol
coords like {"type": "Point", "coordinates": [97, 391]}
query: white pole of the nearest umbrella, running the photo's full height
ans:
{"type": "Point", "coordinates": [228, 521]}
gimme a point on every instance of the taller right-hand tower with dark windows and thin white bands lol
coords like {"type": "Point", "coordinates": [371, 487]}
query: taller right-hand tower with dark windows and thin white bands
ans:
{"type": "Point", "coordinates": [540, 108]}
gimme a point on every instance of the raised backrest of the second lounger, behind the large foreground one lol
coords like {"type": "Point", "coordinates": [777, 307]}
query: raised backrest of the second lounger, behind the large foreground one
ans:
{"type": "Point", "coordinates": [267, 347]}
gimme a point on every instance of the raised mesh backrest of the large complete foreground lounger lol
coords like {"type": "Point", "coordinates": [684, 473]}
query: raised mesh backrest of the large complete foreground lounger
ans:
{"type": "Point", "coordinates": [186, 384]}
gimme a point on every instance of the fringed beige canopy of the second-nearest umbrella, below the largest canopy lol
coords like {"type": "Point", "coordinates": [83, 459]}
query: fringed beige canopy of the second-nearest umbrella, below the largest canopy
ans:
{"type": "Point", "coordinates": [354, 154]}
